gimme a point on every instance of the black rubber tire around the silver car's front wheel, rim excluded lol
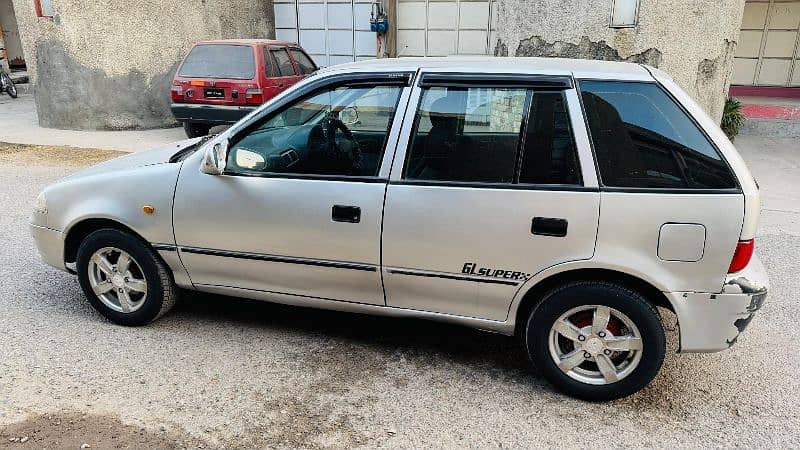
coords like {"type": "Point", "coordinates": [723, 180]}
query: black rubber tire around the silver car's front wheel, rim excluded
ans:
{"type": "Point", "coordinates": [161, 290]}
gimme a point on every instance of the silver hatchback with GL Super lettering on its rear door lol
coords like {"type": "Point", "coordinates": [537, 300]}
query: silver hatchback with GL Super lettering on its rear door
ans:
{"type": "Point", "coordinates": [560, 201]}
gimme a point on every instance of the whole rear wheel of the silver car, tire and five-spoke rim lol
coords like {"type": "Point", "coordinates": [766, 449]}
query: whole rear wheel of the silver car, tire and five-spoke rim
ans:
{"type": "Point", "coordinates": [596, 340]}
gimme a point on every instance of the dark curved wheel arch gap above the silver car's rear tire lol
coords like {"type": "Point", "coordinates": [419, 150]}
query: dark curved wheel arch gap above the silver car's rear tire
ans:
{"type": "Point", "coordinates": [531, 297]}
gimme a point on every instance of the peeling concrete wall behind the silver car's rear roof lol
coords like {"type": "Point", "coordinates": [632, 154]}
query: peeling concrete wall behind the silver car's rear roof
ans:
{"type": "Point", "coordinates": [692, 40]}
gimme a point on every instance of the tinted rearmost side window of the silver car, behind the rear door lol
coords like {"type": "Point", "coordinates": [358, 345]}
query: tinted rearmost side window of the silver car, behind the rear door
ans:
{"type": "Point", "coordinates": [643, 139]}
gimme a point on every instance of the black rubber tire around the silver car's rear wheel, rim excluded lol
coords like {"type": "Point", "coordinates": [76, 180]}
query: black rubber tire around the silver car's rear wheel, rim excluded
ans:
{"type": "Point", "coordinates": [629, 302]}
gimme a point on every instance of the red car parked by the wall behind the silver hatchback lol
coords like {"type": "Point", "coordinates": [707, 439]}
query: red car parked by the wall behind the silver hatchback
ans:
{"type": "Point", "coordinates": [219, 82]}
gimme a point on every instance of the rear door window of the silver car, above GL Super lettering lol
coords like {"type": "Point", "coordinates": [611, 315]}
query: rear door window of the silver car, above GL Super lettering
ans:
{"type": "Point", "coordinates": [477, 134]}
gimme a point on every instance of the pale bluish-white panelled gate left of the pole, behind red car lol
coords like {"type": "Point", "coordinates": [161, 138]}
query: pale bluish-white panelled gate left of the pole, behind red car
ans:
{"type": "Point", "coordinates": [331, 31]}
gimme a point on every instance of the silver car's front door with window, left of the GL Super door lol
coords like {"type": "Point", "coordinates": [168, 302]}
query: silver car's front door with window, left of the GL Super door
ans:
{"type": "Point", "coordinates": [298, 211]}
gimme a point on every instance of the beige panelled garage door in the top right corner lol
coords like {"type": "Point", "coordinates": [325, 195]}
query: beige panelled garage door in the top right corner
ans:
{"type": "Point", "coordinates": [767, 53]}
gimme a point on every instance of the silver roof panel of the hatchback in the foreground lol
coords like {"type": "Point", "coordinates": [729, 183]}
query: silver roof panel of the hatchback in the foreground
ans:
{"type": "Point", "coordinates": [579, 68]}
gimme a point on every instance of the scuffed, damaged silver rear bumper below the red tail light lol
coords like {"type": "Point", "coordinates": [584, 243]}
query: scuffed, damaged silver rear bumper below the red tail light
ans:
{"type": "Point", "coordinates": [713, 322]}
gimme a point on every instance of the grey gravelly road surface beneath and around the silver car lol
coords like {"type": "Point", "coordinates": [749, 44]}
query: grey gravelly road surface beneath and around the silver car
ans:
{"type": "Point", "coordinates": [223, 372]}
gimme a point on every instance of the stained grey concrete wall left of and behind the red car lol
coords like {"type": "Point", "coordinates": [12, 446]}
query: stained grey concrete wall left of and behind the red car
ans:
{"type": "Point", "coordinates": [108, 64]}
